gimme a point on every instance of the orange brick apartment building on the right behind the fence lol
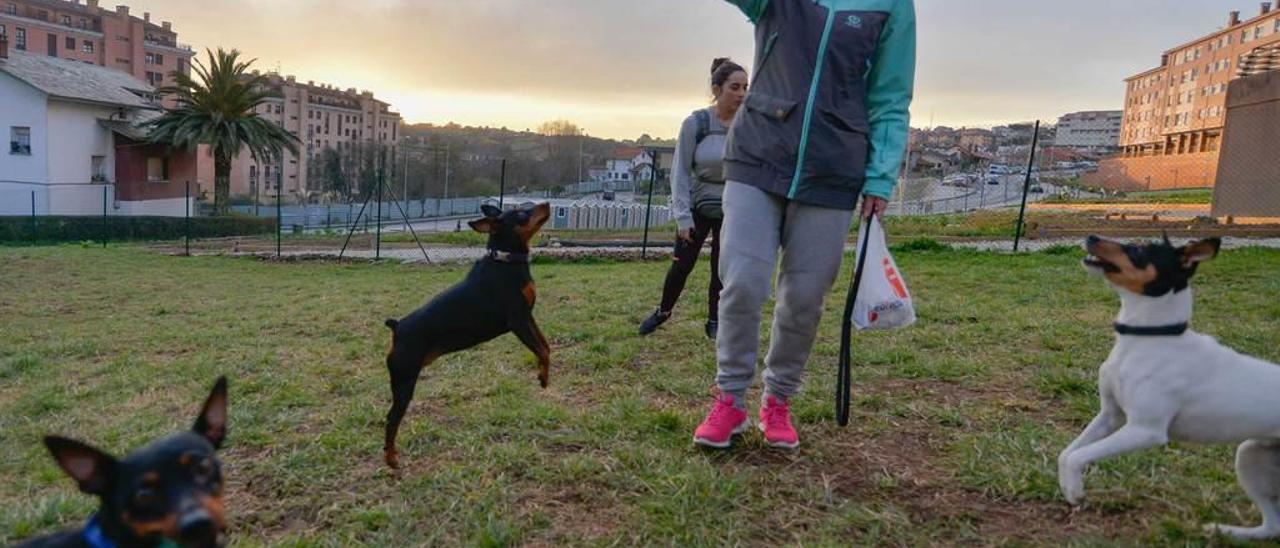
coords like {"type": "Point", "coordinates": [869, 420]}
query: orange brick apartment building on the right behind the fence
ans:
{"type": "Point", "coordinates": [1174, 115]}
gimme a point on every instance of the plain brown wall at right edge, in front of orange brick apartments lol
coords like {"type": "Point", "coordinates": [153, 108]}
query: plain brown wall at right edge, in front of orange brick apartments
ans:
{"type": "Point", "coordinates": [1249, 184]}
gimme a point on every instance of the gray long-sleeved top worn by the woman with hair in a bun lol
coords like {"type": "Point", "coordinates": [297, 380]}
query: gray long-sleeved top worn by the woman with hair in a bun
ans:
{"type": "Point", "coordinates": [698, 176]}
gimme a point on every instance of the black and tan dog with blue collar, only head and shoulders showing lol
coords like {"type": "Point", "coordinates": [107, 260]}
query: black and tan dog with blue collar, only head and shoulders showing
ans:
{"type": "Point", "coordinates": [162, 495]}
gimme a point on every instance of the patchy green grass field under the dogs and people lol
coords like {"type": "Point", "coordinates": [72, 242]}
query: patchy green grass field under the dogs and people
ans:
{"type": "Point", "coordinates": [954, 439]}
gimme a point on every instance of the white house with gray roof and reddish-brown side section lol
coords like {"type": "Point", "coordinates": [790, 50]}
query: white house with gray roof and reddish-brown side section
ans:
{"type": "Point", "coordinates": [72, 134]}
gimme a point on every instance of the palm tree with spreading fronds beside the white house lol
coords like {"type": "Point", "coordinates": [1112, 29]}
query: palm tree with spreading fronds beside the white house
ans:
{"type": "Point", "coordinates": [218, 109]}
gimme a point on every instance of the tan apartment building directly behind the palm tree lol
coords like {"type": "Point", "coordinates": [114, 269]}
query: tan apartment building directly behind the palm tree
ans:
{"type": "Point", "coordinates": [322, 117]}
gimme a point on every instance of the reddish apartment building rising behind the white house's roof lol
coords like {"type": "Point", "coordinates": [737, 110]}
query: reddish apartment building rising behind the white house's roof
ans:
{"type": "Point", "coordinates": [86, 33]}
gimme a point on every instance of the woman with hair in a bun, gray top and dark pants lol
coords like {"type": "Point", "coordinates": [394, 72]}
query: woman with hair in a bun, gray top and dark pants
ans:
{"type": "Point", "coordinates": [697, 185]}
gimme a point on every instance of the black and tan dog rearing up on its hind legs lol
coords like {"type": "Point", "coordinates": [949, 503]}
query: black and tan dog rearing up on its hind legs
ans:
{"type": "Point", "coordinates": [496, 299]}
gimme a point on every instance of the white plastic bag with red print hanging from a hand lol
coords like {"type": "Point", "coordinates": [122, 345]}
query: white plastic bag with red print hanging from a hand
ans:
{"type": "Point", "coordinates": [883, 300]}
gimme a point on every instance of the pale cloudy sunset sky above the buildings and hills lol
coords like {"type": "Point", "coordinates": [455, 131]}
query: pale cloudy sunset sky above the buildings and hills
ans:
{"type": "Point", "coordinates": [621, 68]}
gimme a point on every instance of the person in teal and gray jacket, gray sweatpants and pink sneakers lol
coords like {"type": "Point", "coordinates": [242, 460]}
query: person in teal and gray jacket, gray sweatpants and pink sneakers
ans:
{"type": "Point", "coordinates": [826, 124]}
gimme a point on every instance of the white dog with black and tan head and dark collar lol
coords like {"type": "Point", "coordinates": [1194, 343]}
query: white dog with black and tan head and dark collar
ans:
{"type": "Point", "coordinates": [1164, 382]}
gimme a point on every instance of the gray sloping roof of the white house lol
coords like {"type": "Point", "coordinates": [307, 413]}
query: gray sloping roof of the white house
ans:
{"type": "Point", "coordinates": [77, 81]}
